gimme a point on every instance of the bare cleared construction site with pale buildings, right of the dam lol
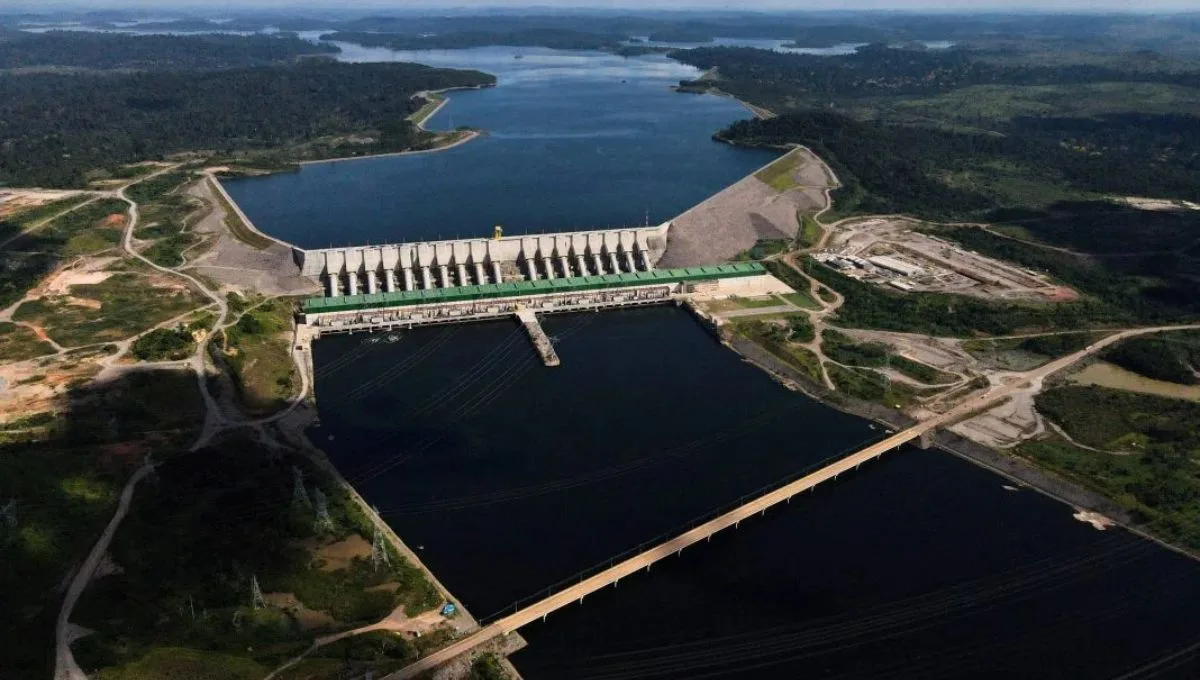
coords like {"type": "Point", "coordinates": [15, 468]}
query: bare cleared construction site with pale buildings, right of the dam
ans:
{"type": "Point", "coordinates": [892, 252]}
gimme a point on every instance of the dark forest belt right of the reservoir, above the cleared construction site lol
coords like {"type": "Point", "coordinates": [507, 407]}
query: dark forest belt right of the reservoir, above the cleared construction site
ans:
{"type": "Point", "coordinates": [891, 169]}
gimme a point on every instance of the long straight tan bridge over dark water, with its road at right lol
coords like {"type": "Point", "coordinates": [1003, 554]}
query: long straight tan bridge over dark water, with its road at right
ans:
{"type": "Point", "coordinates": [922, 431]}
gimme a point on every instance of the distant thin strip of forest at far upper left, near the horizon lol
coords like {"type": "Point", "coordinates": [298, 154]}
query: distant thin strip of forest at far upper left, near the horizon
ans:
{"type": "Point", "coordinates": [77, 50]}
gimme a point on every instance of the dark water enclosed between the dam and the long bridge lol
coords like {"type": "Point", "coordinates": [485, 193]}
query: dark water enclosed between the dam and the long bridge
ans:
{"type": "Point", "coordinates": [524, 476]}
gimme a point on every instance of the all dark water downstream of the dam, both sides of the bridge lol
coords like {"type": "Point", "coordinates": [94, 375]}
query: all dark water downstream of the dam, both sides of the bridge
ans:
{"type": "Point", "coordinates": [920, 565]}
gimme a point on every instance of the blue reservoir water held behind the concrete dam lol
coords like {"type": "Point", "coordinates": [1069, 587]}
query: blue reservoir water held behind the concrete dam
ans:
{"type": "Point", "coordinates": [577, 141]}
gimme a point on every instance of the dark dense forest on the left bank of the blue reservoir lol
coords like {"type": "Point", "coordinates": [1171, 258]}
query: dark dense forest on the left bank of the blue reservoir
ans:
{"type": "Point", "coordinates": [56, 129]}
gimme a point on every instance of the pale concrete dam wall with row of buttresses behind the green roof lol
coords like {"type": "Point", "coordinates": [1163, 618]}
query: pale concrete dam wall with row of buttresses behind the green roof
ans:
{"type": "Point", "coordinates": [447, 264]}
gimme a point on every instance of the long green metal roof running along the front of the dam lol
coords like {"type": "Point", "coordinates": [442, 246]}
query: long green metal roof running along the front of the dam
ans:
{"type": "Point", "coordinates": [518, 288]}
